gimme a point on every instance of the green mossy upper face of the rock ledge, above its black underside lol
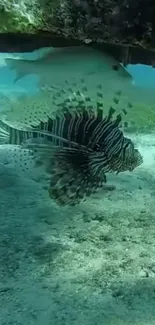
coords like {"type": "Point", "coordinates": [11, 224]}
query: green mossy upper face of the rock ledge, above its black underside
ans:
{"type": "Point", "coordinates": [128, 23]}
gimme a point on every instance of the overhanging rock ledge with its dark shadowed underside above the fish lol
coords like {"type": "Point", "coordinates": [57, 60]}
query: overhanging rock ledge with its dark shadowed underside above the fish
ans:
{"type": "Point", "coordinates": [126, 29]}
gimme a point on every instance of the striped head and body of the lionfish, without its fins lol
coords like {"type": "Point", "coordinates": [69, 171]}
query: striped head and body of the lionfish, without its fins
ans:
{"type": "Point", "coordinates": [102, 137]}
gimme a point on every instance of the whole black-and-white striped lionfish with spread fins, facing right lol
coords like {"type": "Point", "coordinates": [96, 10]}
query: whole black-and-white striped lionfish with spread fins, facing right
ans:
{"type": "Point", "coordinates": [78, 147]}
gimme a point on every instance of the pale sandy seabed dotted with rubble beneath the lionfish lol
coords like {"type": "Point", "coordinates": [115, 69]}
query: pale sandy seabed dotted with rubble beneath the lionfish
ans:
{"type": "Point", "coordinates": [88, 265]}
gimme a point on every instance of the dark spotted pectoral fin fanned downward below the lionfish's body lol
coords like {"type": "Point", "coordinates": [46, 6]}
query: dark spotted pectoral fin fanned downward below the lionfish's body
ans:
{"type": "Point", "coordinates": [71, 180]}
